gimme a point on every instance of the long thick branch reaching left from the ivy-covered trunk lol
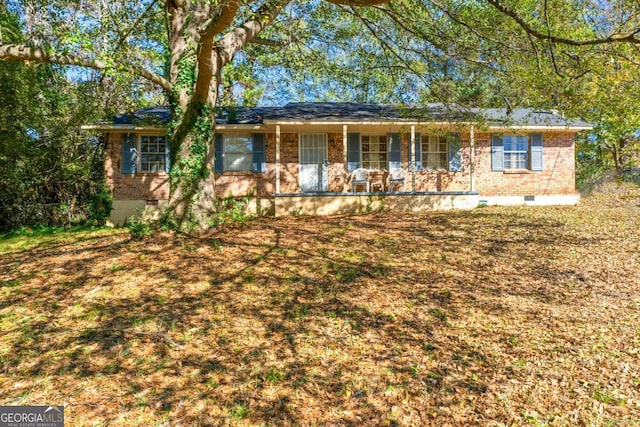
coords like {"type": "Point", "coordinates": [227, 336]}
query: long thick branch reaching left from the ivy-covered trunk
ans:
{"type": "Point", "coordinates": [14, 52]}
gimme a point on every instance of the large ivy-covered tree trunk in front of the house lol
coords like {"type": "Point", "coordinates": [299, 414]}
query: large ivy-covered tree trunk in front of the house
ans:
{"type": "Point", "coordinates": [192, 196]}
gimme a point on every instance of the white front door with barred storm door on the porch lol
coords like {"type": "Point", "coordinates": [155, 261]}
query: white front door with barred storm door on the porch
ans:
{"type": "Point", "coordinates": [314, 174]}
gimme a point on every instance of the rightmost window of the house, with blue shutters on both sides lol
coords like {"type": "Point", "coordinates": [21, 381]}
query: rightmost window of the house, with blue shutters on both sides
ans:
{"type": "Point", "coordinates": [517, 152]}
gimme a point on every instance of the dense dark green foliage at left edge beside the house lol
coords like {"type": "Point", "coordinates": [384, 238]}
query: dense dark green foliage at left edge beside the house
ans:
{"type": "Point", "coordinates": [50, 173]}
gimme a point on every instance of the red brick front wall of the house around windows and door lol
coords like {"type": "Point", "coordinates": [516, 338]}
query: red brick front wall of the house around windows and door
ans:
{"type": "Point", "coordinates": [558, 176]}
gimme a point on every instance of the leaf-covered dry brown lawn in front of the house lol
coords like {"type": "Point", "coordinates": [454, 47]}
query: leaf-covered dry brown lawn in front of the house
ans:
{"type": "Point", "coordinates": [493, 317]}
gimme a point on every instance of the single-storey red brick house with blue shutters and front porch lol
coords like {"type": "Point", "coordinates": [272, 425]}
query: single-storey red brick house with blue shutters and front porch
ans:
{"type": "Point", "coordinates": [325, 158]}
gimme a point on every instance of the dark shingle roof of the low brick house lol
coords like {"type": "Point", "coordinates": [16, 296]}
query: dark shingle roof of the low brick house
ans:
{"type": "Point", "coordinates": [349, 112]}
